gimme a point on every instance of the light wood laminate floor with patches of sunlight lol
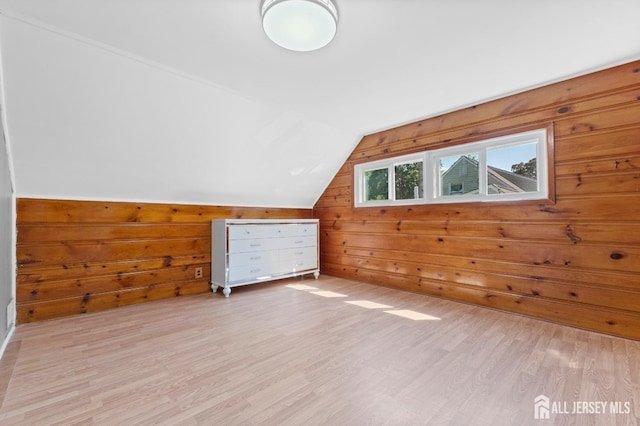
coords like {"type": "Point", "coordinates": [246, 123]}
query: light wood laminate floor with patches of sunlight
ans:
{"type": "Point", "coordinates": [287, 354]}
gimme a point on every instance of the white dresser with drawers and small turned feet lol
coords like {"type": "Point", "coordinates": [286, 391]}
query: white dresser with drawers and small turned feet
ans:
{"type": "Point", "coordinates": [252, 251]}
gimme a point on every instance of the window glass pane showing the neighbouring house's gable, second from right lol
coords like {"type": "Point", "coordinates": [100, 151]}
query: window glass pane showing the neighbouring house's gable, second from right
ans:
{"type": "Point", "coordinates": [459, 174]}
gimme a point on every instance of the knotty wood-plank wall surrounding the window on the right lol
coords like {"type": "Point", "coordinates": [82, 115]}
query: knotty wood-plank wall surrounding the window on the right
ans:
{"type": "Point", "coordinates": [575, 261]}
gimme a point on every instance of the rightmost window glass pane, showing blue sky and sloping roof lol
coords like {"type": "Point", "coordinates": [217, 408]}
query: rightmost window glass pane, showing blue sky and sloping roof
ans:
{"type": "Point", "coordinates": [512, 169]}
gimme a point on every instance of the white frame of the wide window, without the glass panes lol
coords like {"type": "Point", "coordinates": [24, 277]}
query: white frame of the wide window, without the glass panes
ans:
{"type": "Point", "coordinates": [431, 173]}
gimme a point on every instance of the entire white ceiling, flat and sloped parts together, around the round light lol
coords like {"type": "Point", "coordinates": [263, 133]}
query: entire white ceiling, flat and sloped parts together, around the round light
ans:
{"type": "Point", "coordinates": [189, 102]}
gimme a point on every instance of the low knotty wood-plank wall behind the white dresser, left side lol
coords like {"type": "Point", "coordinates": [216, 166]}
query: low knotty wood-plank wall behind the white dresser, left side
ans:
{"type": "Point", "coordinates": [79, 256]}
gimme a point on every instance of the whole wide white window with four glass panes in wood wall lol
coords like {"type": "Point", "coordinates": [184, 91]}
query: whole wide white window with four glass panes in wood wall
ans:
{"type": "Point", "coordinates": [512, 167]}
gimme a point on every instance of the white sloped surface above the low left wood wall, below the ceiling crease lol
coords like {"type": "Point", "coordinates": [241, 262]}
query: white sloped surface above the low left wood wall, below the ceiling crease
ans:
{"type": "Point", "coordinates": [92, 123]}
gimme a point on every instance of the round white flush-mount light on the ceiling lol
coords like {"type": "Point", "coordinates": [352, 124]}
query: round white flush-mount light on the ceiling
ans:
{"type": "Point", "coordinates": [300, 25]}
